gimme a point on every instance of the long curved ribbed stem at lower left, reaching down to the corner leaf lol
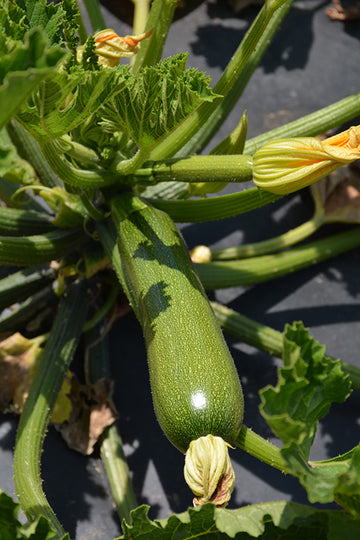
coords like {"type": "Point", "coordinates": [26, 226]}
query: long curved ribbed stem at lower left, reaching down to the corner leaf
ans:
{"type": "Point", "coordinates": [56, 358]}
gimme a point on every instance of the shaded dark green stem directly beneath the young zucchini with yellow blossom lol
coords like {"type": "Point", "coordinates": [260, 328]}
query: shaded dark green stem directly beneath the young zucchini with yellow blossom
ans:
{"type": "Point", "coordinates": [213, 208]}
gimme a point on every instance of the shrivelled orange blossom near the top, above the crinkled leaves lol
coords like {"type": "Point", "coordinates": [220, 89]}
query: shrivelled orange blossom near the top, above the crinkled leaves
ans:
{"type": "Point", "coordinates": [111, 48]}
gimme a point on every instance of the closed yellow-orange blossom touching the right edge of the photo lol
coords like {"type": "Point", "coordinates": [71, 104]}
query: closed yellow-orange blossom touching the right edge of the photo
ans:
{"type": "Point", "coordinates": [287, 165]}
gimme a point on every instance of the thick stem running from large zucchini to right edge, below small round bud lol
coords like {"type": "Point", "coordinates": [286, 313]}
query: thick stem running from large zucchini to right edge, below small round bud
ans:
{"type": "Point", "coordinates": [243, 272]}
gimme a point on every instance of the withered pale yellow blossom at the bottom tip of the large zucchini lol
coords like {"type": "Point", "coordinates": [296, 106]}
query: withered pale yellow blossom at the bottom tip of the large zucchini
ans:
{"type": "Point", "coordinates": [208, 471]}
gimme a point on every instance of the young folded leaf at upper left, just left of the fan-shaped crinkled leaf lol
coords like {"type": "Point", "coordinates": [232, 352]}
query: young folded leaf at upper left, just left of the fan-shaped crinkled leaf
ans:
{"type": "Point", "coordinates": [66, 100]}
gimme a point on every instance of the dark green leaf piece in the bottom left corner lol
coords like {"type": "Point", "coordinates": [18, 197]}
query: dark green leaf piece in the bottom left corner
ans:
{"type": "Point", "coordinates": [12, 529]}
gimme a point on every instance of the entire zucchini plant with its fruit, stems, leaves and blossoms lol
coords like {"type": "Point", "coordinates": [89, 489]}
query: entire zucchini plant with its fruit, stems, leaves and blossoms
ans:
{"type": "Point", "coordinates": [100, 160]}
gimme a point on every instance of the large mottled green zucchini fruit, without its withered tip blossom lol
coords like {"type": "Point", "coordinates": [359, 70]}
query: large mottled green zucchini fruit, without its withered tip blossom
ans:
{"type": "Point", "coordinates": [195, 385]}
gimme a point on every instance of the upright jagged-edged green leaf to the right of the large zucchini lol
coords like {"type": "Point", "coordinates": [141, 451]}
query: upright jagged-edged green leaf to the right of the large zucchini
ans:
{"type": "Point", "coordinates": [307, 385]}
